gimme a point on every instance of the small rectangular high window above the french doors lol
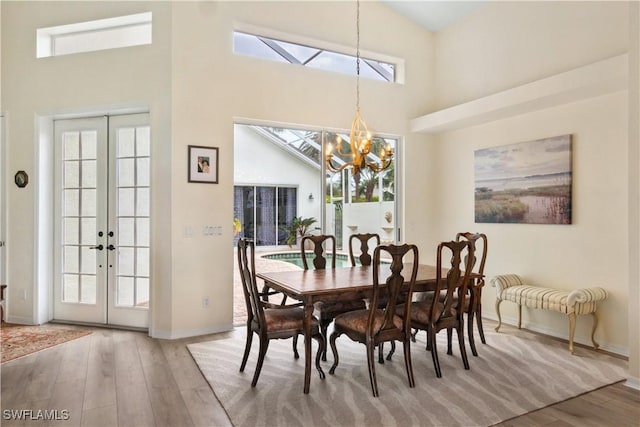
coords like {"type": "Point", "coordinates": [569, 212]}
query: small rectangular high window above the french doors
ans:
{"type": "Point", "coordinates": [122, 31]}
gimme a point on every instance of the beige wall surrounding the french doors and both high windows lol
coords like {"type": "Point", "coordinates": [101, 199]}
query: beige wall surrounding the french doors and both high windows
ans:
{"type": "Point", "coordinates": [194, 88]}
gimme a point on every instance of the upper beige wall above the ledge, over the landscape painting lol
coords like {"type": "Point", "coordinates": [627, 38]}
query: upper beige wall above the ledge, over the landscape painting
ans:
{"type": "Point", "coordinates": [510, 43]}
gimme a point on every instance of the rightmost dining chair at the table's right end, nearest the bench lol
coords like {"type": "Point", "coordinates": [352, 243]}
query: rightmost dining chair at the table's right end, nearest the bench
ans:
{"type": "Point", "coordinates": [473, 304]}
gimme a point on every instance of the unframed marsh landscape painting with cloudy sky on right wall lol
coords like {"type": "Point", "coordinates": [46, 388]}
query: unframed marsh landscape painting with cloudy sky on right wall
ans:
{"type": "Point", "coordinates": [525, 183]}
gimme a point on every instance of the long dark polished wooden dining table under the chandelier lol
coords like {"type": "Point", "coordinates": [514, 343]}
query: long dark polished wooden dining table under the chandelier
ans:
{"type": "Point", "coordinates": [334, 284]}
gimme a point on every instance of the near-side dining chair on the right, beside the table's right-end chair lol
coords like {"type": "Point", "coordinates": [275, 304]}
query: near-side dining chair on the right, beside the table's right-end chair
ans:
{"type": "Point", "coordinates": [435, 314]}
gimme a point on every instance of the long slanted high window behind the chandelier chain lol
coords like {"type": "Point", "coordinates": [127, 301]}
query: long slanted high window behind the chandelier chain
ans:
{"type": "Point", "coordinates": [314, 57]}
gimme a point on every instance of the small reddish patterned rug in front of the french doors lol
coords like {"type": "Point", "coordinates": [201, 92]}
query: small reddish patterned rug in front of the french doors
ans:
{"type": "Point", "coordinates": [19, 340]}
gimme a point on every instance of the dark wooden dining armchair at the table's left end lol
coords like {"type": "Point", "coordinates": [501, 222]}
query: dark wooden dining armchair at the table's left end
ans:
{"type": "Point", "coordinates": [268, 320]}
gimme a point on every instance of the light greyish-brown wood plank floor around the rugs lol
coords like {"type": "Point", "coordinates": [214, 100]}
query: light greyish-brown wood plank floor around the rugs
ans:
{"type": "Point", "coordinates": [124, 378]}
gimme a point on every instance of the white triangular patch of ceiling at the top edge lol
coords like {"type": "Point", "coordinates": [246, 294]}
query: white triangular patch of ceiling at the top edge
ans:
{"type": "Point", "coordinates": [434, 15]}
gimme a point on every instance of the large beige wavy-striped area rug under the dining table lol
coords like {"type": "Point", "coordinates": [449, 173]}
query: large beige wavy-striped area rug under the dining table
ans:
{"type": "Point", "coordinates": [511, 376]}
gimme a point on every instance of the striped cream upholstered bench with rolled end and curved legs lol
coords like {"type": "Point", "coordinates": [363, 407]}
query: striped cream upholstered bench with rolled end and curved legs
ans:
{"type": "Point", "coordinates": [511, 287]}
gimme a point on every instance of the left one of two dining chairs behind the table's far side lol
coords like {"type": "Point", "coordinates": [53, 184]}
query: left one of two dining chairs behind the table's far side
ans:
{"type": "Point", "coordinates": [324, 247]}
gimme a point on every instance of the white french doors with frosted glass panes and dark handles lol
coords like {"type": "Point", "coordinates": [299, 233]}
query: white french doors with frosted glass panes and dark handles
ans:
{"type": "Point", "coordinates": [102, 205]}
